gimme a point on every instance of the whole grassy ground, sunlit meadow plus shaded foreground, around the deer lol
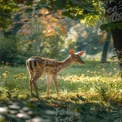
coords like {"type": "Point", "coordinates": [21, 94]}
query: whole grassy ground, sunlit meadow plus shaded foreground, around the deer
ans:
{"type": "Point", "coordinates": [88, 93]}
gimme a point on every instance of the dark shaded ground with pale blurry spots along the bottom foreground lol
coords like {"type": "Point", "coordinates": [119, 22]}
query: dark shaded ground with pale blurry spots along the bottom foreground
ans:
{"type": "Point", "coordinates": [63, 109]}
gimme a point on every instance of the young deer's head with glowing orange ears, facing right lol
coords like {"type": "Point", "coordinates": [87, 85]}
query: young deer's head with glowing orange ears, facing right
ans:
{"type": "Point", "coordinates": [76, 56]}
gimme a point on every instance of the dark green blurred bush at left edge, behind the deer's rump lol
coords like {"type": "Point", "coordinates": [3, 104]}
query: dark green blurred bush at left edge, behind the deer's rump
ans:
{"type": "Point", "coordinates": [11, 52]}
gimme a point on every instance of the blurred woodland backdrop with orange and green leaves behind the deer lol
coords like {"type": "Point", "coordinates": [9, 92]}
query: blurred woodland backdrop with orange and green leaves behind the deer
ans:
{"type": "Point", "coordinates": [34, 28]}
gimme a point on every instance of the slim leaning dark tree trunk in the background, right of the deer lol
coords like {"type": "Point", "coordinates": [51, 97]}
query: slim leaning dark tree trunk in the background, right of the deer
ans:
{"type": "Point", "coordinates": [105, 48]}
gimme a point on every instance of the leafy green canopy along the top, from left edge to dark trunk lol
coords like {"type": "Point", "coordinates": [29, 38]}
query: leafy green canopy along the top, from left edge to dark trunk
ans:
{"type": "Point", "coordinates": [75, 9]}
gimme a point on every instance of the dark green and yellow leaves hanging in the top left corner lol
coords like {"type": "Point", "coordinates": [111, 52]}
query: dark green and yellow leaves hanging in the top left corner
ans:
{"type": "Point", "coordinates": [7, 8]}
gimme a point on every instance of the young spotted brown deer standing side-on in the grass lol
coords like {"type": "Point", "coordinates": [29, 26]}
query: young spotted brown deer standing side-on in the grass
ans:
{"type": "Point", "coordinates": [38, 65]}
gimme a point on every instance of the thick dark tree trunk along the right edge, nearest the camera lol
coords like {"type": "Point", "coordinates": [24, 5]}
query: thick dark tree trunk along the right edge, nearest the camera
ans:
{"type": "Point", "coordinates": [114, 18]}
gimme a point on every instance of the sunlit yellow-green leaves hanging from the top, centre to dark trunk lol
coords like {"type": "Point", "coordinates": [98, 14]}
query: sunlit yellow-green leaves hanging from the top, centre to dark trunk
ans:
{"type": "Point", "coordinates": [78, 9]}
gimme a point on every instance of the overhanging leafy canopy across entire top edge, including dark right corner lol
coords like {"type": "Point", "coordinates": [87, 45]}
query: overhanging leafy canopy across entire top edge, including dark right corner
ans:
{"type": "Point", "coordinates": [90, 11]}
